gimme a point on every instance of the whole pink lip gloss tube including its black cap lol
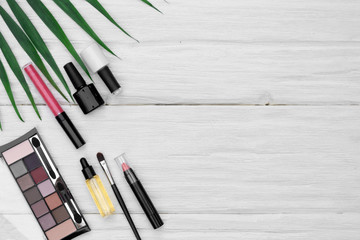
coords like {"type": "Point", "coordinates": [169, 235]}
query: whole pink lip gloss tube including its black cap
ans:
{"type": "Point", "coordinates": [54, 106]}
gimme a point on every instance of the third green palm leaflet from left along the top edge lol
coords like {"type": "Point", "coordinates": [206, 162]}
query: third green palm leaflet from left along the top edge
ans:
{"type": "Point", "coordinates": [74, 14]}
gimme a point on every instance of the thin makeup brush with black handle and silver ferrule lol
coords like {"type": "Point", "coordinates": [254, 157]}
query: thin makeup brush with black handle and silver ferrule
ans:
{"type": "Point", "coordinates": [106, 169]}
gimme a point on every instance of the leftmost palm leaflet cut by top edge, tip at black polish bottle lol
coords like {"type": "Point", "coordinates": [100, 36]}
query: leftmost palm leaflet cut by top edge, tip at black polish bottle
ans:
{"type": "Point", "coordinates": [37, 40]}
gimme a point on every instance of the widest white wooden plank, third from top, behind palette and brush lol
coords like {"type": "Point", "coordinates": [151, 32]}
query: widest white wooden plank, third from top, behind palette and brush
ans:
{"type": "Point", "coordinates": [211, 159]}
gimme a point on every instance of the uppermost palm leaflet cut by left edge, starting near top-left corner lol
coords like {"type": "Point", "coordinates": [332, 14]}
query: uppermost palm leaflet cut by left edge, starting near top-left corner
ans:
{"type": "Point", "coordinates": [28, 47]}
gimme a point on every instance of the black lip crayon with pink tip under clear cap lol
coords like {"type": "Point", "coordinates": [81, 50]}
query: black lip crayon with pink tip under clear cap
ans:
{"type": "Point", "coordinates": [140, 192]}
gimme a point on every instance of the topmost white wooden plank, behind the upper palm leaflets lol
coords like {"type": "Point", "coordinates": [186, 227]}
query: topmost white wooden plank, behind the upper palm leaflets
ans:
{"type": "Point", "coordinates": [220, 20]}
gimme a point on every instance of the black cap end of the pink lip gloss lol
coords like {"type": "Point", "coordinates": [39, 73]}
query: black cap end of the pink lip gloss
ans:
{"type": "Point", "coordinates": [70, 130]}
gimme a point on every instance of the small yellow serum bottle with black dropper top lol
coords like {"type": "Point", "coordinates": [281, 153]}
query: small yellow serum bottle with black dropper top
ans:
{"type": "Point", "coordinates": [97, 190]}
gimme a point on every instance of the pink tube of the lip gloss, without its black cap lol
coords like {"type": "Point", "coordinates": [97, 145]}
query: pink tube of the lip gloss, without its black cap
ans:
{"type": "Point", "coordinates": [43, 89]}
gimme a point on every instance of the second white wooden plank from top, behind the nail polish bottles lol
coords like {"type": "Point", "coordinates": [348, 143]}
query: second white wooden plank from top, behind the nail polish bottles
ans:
{"type": "Point", "coordinates": [221, 73]}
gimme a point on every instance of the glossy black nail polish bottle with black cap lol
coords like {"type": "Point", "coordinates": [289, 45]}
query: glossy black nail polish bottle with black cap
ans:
{"type": "Point", "coordinates": [87, 96]}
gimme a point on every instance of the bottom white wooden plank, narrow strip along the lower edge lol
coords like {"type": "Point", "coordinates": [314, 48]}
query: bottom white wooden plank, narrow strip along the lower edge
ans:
{"type": "Point", "coordinates": [204, 226]}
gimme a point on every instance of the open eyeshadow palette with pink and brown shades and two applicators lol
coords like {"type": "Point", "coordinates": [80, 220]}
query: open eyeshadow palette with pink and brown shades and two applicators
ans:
{"type": "Point", "coordinates": [43, 187]}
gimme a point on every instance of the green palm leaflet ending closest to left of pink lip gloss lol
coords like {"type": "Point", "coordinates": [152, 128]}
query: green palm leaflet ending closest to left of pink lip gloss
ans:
{"type": "Point", "coordinates": [15, 67]}
